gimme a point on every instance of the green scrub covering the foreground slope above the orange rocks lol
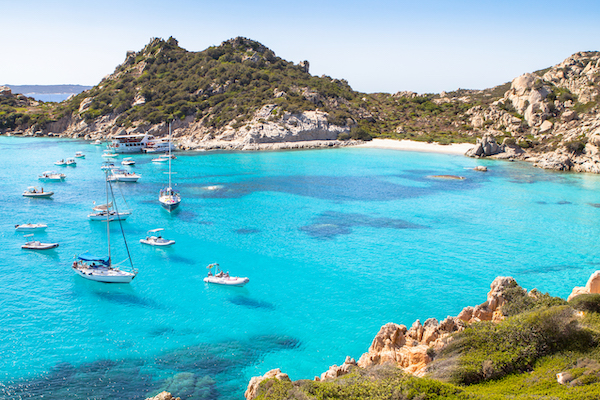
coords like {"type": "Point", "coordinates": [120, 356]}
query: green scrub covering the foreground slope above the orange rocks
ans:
{"type": "Point", "coordinates": [518, 358]}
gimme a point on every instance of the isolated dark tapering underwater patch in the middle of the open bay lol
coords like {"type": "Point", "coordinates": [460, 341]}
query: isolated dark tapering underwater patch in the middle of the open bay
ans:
{"type": "Point", "coordinates": [331, 223]}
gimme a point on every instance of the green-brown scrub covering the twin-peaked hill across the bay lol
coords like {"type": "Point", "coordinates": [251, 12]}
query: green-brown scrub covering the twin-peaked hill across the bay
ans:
{"type": "Point", "coordinates": [227, 84]}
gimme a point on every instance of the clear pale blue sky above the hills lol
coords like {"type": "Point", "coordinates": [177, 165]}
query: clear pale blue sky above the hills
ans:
{"type": "Point", "coordinates": [425, 46]}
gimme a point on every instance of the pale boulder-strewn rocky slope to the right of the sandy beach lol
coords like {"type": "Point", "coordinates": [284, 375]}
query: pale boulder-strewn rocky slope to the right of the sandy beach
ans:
{"type": "Point", "coordinates": [552, 115]}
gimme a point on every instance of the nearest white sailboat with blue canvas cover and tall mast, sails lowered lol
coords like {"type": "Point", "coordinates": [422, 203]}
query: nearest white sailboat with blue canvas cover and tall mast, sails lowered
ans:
{"type": "Point", "coordinates": [101, 269]}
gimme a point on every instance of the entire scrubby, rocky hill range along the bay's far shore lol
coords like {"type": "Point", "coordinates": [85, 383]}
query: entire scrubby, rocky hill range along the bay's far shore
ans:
{"type": "Point", "coordinates": [240, 95]}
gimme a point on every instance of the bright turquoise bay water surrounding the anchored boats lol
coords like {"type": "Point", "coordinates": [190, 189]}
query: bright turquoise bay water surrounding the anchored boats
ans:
{"type": "Point", "coordinates": [335, 242]}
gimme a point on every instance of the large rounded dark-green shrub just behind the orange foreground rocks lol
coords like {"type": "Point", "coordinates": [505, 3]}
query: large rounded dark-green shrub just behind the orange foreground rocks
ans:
{"type": "Point", "coordinates": [485, 350]}
